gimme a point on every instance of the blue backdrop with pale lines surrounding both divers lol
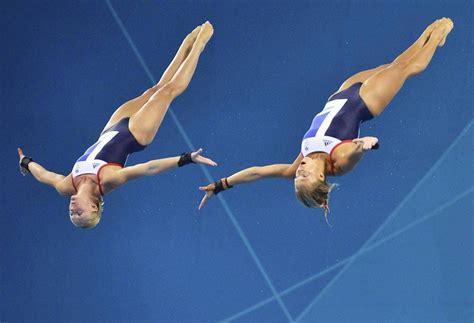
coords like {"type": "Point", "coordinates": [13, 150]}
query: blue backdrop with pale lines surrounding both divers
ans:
{"type": "Point", "coordinates": [400, 247]}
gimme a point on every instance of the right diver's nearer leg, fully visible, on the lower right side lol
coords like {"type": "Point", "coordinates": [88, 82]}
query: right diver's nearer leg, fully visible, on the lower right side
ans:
{"type": "Point", "coordinates": [378, 90]}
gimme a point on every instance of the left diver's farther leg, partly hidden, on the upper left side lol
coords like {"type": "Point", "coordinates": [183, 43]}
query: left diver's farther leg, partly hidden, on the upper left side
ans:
{"type": "Point", "coordinates": [129, 108]}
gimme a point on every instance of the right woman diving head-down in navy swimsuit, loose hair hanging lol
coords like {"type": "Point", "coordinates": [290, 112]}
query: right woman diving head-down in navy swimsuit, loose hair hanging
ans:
{"type": "Point", "coordinates": [331, 146]}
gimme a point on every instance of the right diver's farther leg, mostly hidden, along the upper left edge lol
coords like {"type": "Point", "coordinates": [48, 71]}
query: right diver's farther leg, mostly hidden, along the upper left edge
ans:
{"type": "Point", "coordinates": [416, 46]}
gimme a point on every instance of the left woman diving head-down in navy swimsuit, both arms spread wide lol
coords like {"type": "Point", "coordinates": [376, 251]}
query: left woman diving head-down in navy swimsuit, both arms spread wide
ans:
{"type": "Point", "coordinates": [130, 129]}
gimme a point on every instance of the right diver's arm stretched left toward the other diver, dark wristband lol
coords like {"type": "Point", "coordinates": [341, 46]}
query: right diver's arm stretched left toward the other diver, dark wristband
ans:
{"type": "Point", "coordinates": [248, 175]}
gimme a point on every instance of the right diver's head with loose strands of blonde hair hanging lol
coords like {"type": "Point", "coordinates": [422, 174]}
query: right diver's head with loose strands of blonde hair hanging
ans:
{"type": "Point", "coordinates": [311, 187]}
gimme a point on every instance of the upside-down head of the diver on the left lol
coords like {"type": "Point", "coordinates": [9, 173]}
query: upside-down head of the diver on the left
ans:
{"type": "Point", "coordinates": [85, 210]}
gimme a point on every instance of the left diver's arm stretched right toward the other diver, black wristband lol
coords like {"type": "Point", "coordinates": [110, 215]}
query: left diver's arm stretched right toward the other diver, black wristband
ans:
{"type": "Point", "coordinates": [154, 167]}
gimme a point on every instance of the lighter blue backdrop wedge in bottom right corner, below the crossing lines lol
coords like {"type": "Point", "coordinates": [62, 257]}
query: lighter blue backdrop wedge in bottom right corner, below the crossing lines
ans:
{"type": "Point", "coordinates": [422, 275]}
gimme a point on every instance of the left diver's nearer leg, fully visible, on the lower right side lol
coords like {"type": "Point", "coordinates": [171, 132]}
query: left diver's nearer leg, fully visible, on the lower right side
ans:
{"type": "Point", "coordinates": [145, 123]}
